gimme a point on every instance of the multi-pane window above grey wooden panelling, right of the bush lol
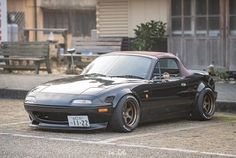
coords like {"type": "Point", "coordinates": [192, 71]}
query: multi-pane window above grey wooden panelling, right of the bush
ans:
{"type": "Point", "coordinates": [195, 17]}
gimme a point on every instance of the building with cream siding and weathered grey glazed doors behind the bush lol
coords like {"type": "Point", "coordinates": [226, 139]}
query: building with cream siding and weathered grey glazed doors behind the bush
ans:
{"type": "Point", "coordinates": [200, 32]}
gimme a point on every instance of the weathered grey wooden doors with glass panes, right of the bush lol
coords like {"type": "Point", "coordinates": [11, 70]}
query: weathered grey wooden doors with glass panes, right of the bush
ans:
{"type": "Point", "coordinates": [203, 32]}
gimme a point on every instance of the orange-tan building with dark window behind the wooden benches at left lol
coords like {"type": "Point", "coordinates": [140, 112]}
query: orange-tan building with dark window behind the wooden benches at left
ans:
{"type": "Point", "coordinates": [79, 17]}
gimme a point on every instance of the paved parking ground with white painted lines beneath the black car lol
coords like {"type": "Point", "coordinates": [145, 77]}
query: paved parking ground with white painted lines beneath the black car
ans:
{"type": "Point", "coordinates": [174, 138]}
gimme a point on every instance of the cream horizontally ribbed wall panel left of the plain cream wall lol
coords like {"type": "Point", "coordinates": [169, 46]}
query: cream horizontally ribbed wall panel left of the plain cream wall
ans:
{"type": "Point", "coordinates": [112, 18]}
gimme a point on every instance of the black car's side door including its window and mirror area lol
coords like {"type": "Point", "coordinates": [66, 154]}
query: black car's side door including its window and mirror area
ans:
{"type": "Point", "coordinates": [169, 96]}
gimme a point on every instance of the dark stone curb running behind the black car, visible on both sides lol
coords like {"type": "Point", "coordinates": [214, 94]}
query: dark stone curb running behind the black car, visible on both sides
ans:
{"type": "Point", "coordinates": [221, 106]}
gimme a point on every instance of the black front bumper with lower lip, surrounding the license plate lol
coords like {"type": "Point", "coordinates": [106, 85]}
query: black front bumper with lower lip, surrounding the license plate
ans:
{"type": "Point", "coordinates": [55, 117]}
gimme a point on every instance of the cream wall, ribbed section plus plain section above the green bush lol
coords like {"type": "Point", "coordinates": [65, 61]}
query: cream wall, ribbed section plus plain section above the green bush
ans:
{"type": "Point", "coordinates": [118, 18]}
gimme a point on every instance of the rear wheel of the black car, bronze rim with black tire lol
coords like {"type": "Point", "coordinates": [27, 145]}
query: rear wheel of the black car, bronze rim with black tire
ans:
{"type": "Point", "coordinates": [205, 105]}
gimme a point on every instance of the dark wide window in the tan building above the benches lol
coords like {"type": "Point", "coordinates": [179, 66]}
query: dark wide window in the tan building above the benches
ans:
{"type": "Point", "coordinates": [79, 23]}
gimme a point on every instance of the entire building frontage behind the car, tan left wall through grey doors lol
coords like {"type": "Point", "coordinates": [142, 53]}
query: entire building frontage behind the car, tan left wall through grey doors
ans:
{"type": "Point", "coordinates": [200, 32]}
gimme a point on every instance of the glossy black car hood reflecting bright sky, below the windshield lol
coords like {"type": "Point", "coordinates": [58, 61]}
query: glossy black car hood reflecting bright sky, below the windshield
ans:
{"type": "Point", "coordinates": [84, 85]}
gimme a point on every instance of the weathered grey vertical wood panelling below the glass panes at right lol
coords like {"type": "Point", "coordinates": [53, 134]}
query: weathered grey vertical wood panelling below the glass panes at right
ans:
{"type": "Point", "coordinates": [198, 53]}
